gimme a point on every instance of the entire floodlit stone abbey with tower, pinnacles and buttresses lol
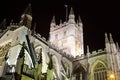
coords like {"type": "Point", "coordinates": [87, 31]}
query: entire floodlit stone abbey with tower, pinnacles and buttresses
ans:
{"type": "Point", "coordinates": [26, 55]}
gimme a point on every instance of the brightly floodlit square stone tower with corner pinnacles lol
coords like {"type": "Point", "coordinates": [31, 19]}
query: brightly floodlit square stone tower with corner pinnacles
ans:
{"type": "Point", "coordinates": [68, 36]}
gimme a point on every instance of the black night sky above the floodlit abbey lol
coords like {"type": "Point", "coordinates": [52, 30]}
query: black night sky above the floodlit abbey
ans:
{"type": "Point", "coordinates": [98, 17]}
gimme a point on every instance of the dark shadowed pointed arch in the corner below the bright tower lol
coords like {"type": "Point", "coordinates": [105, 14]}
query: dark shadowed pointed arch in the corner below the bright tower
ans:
{"type": "Point", "coordinates": [79, 72]}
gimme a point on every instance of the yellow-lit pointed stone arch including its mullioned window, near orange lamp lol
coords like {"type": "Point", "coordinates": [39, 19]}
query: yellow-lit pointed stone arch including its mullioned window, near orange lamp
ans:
{"type": "Point", "coordinates": [99, 71]}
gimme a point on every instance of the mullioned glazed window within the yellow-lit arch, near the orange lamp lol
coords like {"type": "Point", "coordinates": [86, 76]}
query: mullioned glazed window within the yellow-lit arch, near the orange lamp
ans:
{"type": "Point", "coordinates": [100, 72]}
